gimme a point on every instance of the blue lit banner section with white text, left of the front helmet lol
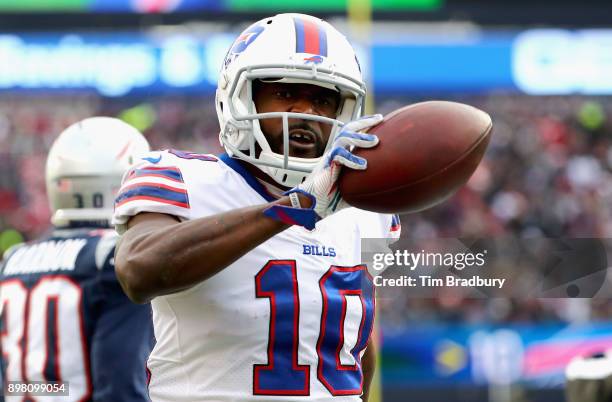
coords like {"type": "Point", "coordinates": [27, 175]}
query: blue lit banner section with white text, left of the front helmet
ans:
{"type": "Point", "coordinates": [110, 64]}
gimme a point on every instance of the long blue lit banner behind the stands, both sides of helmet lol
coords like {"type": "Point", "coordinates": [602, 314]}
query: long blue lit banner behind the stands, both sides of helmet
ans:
{"type": "Point", "coordinates": [538, 62]}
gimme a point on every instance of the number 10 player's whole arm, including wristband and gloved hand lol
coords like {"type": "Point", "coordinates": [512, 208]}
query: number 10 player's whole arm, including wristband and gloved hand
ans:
{"type": "Point", "coordinates": [159, 255]}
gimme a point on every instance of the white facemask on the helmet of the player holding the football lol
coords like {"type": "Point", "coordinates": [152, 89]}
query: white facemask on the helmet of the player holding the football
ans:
{"type": "Point", "coordinates": [254, 147]}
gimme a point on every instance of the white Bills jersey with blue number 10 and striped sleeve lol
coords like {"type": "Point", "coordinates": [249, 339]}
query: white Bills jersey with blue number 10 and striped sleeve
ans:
{"type": "Point", "coordinates": [288, 321]}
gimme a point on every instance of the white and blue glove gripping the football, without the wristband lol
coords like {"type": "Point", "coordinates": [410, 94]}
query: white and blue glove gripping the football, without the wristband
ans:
{"type": "Point", "coordinates": [322, 182]}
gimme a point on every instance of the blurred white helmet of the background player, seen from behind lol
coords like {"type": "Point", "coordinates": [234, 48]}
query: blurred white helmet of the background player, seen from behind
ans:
{"type": "Point", "coordinates": [85, 166]}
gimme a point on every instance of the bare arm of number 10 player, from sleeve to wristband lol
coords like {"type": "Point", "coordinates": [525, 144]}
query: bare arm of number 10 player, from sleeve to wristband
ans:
{"type": "Point", "coordinates": [159, 255]}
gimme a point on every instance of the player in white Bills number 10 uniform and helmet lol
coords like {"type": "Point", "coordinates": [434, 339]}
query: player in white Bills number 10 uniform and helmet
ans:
{"type": "Point", "coordinates": [251, 259]}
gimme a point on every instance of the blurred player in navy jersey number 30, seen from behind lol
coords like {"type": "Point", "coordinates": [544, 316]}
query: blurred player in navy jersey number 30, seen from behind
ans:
{"type": "Point", "coordinates": [64, 315]}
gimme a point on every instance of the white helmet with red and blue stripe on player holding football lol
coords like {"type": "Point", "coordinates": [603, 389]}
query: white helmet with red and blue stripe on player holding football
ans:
{"type": "Point", "coordinates": [290, 48]}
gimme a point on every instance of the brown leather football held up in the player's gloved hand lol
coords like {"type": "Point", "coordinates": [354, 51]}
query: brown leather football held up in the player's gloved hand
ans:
{"type": "Point", "coordinates": [427, 151]}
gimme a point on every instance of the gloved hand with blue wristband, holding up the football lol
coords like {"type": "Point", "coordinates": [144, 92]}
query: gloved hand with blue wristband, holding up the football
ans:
{"type": "Point", "coordinates": [320, 185]}
